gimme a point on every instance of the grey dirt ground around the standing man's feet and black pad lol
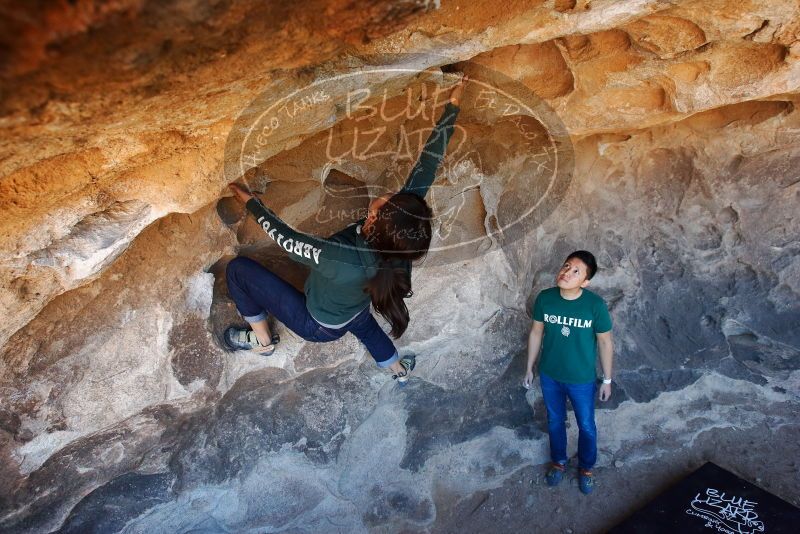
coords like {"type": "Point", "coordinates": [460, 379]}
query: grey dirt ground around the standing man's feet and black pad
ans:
{"type": "Point", "coordinates": [524, 503]}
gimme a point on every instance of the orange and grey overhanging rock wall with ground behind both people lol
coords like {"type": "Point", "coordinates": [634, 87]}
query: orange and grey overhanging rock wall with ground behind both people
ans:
{"type": "Point", "coordinates": [661, 135]}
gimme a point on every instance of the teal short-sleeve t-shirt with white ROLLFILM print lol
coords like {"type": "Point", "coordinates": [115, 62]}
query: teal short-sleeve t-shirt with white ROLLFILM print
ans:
{"type": "Point", "coordinates": [569, 345]}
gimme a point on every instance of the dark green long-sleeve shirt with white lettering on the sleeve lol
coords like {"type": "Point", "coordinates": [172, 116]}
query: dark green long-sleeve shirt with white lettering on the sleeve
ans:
{"type": "Point", "coordinates": [342, 264]}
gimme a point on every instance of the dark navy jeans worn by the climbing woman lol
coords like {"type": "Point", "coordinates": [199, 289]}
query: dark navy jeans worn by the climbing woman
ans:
{"type": "Point", "coordinates": [258, 291]}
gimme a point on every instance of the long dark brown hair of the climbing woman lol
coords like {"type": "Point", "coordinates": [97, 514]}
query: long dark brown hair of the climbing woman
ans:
{"type": "Point", "coordinates": [401, 231]}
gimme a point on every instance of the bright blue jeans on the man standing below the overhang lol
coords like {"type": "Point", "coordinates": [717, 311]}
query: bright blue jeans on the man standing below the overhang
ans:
{"type": "Point", "coordinates": [581, 396]}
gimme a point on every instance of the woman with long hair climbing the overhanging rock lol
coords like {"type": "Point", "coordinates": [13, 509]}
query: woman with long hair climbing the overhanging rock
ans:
{"type": "Point", "coordinates": [367, 262]}
